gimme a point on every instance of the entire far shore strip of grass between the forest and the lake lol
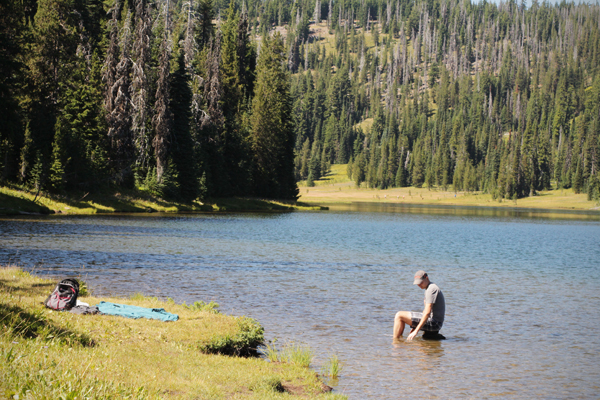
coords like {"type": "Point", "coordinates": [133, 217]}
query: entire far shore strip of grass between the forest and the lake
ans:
{"type": "Point", "coordinates": [333, 191]}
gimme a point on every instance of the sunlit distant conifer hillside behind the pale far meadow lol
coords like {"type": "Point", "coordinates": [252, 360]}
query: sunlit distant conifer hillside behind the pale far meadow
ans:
{"type": "Point", "coordinates": [502, 99]}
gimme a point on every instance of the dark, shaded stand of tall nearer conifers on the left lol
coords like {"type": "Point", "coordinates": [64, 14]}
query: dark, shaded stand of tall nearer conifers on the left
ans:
{"type": "Point", "coordinates": [152, 94]}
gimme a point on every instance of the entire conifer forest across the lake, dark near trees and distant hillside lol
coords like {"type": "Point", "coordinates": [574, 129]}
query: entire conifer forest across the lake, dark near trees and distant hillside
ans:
{"type": "Point", "coordinates": [189, 99]}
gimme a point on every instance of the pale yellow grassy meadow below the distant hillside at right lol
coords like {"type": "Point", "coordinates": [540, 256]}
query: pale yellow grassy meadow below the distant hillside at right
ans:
{"type": "Point", "coordinates": [336, 187]}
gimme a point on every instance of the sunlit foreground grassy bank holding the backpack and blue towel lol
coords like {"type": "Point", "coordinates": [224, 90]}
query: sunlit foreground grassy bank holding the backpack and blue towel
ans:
{"type": "Point", "coordinates": [50, 355]}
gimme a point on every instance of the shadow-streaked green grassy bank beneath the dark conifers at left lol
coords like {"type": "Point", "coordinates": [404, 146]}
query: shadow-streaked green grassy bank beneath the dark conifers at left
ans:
{"type": "Point", "coordinates": [15, 201]}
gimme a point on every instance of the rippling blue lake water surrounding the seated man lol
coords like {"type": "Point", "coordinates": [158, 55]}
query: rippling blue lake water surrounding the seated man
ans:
{"type": "Point", "coordinates": [522, 292]}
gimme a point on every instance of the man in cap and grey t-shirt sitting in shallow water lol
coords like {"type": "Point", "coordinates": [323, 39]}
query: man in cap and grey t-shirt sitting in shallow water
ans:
{"type": "Point", "coordinates": [432, 317]}
